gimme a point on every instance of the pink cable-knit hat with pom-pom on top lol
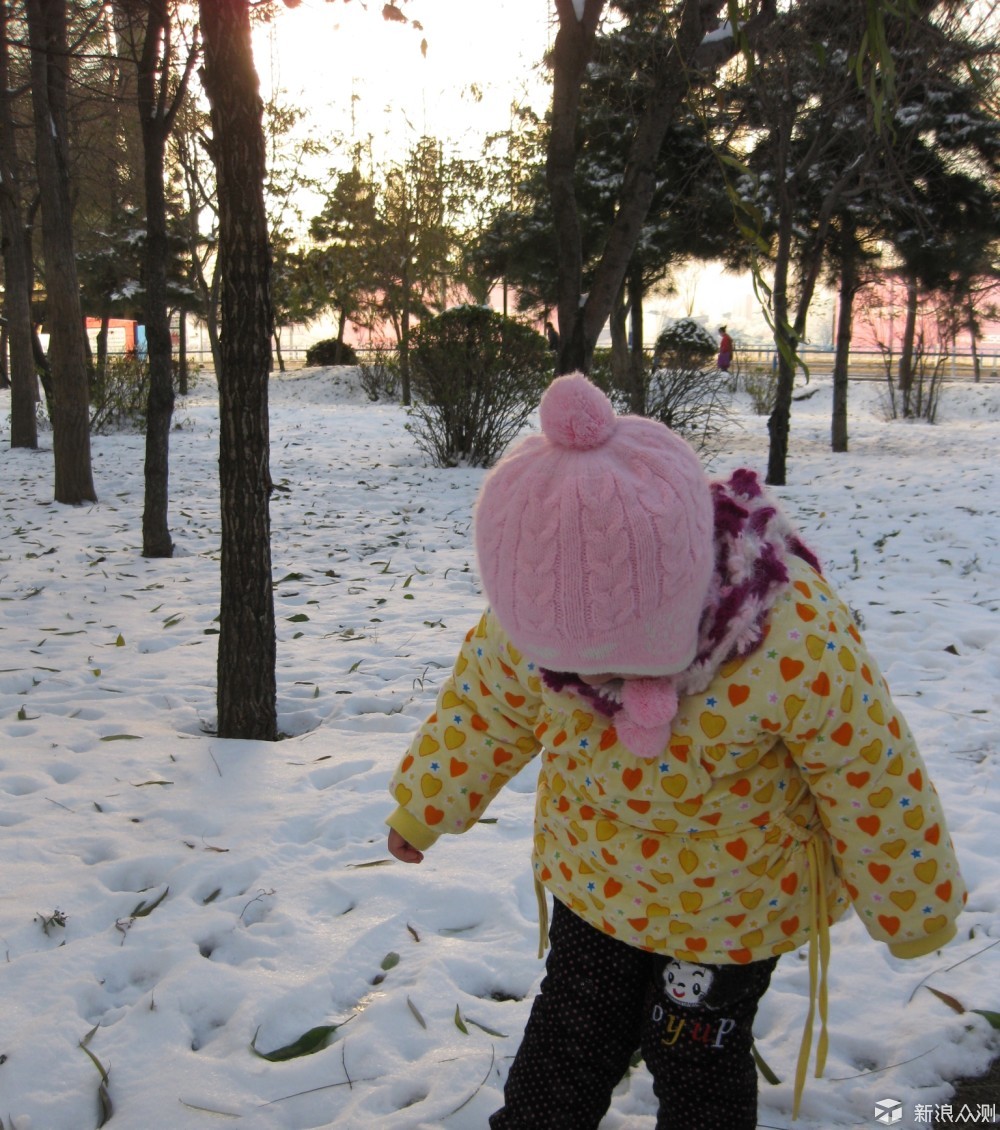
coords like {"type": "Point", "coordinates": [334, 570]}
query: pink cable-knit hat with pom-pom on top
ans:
{"type": "Point", "coordinates": [596, 540]}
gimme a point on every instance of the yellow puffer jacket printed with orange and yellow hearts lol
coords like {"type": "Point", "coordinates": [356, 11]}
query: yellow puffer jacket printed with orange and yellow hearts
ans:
{"type": "Point", "coordinates": [790, 786]}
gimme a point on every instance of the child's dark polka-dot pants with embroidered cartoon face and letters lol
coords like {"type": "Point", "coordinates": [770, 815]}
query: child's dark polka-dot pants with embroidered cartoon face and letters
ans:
{"type": "Point", "coordinates": [601, 1002]}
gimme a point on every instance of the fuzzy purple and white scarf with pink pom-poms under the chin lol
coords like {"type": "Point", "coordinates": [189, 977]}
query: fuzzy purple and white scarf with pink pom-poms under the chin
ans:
{"type": "Point", "coordinates": [753, 544]}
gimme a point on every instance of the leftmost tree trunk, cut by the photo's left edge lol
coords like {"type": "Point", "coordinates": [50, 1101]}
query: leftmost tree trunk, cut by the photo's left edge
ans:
{"type": "Point", "coordinates": [18, 272]}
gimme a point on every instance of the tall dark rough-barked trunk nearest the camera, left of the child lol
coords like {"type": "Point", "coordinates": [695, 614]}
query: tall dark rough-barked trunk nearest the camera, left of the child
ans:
{"type": "Point", "coordinates": [247, 682]}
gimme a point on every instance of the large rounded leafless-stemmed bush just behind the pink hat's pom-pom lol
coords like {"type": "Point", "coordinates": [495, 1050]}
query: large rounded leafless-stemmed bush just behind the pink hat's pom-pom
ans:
{"type": "Point", "coordinates": [476, 378]}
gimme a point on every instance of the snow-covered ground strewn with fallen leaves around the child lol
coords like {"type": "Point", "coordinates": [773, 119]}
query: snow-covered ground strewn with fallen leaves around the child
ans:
{"type": "Point", "coordinates": [172, 905]}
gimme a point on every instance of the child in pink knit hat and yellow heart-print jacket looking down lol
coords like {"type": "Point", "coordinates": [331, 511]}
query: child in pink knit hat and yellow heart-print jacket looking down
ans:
{"type": "Point", "coordinates": [723, 770]}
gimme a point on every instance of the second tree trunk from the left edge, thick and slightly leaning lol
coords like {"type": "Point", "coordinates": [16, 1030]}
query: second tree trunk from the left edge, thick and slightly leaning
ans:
{"type": "Point", "coordinates": [67, 354]}
